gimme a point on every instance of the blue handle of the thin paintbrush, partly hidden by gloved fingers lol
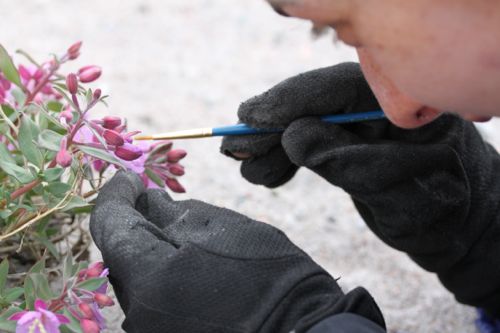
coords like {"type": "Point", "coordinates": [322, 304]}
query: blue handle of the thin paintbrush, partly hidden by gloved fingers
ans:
{"type": "Point", "coordinates": [244, 129]}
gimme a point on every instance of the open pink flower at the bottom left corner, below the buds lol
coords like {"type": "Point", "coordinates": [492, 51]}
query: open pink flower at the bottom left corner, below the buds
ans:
{"type": "Point", "coordinates": [39, 321]}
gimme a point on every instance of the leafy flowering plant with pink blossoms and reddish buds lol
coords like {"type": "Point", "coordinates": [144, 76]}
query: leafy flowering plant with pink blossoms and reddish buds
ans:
{"type": "Point", "coordinates": [54, 158]}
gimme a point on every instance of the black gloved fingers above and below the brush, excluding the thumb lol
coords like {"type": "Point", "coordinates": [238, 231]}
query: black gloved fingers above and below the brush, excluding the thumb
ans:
{"type": "Point", "coordinates": [325, 91]}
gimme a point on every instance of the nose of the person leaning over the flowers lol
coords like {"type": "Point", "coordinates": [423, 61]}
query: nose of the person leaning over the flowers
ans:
{"type": "Point", "coordinates": [402, 110]}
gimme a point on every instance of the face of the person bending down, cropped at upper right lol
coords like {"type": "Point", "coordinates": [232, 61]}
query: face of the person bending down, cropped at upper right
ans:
{"type": "Point", "coordinates": [420, 57]}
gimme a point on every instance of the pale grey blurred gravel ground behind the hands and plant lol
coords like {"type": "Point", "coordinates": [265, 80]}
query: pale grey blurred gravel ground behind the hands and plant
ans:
{"type": "Point", "coordinates": [177, 64]}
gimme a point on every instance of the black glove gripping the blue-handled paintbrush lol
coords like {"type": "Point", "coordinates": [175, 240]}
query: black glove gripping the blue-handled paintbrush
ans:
{"type": "Point", "coordinates": [433, 192]}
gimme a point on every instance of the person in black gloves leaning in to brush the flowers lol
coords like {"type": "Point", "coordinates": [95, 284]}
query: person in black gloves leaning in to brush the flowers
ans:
{"type": "Point", "coordinates": [425, 181]}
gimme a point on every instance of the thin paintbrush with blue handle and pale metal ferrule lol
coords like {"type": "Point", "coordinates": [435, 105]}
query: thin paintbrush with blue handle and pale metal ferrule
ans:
{"type": "Point", "coordinates": [244, 129]}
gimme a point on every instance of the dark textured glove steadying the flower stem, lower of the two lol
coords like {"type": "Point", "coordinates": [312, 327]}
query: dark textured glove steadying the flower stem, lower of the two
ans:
{"type": "Point", "coordinates": [187, 266]}
